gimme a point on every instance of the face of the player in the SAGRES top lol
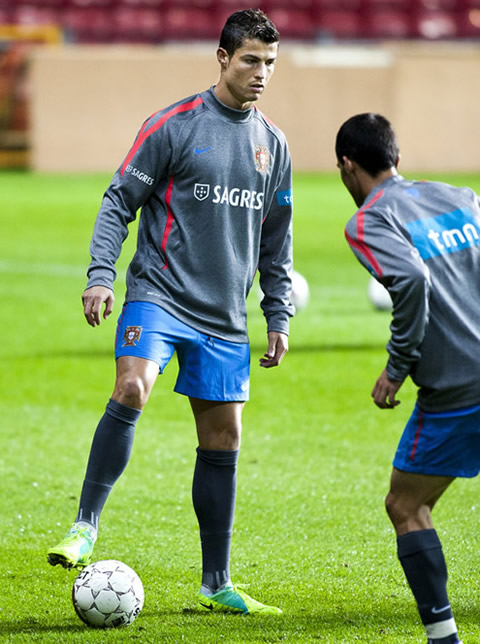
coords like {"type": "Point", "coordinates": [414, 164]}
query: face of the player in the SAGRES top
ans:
{"type": "Point", "coordinates": [246, 74]}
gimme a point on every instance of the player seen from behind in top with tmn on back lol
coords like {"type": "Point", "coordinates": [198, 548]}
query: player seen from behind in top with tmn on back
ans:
{"type": "Point", "coordinates": [421, 240]}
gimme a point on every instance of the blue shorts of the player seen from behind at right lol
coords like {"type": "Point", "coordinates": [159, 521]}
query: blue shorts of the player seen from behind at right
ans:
{"type": "Point", "coordinates": [441, 444]}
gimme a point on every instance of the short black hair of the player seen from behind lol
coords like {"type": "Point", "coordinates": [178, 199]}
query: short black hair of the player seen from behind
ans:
{"type": "Point", "coordinates": [369, 140]}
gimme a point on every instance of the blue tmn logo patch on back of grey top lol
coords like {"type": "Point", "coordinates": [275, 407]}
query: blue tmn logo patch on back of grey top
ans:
{"type": "Point", "coordinates": [444, 234]}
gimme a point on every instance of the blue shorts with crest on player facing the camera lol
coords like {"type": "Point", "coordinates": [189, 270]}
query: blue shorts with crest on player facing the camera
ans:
{"type": "Point", "coordinates": [209, 368]}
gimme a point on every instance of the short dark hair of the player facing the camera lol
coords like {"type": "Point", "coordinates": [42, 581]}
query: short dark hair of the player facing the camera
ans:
{"type": "Point", "coordinates": [247, 24]}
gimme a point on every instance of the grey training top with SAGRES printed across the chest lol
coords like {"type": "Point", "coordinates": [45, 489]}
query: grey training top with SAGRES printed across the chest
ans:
{"type": "Point", "coordinates": [215, 190]}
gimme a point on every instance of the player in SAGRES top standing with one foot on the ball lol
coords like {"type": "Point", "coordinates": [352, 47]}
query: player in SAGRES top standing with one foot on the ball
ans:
{"type": "Point", "coordinates": [212, 177]}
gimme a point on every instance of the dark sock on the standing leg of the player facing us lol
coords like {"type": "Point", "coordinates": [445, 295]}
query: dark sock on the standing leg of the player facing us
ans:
{"type": "Point", "coordinates": [213, 493]}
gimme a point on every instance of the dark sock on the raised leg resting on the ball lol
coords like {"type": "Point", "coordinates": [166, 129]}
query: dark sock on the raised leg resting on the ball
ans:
{"type": "Point", "coordinates": [109, 455]}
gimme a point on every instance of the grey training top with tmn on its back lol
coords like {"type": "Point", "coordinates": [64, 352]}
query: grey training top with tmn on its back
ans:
{"type": "Point", "coordinates": [422, 241]}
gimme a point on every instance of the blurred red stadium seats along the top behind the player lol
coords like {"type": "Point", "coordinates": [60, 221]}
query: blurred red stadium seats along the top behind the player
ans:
{"type": "Point", "coordinates": [159, 21]}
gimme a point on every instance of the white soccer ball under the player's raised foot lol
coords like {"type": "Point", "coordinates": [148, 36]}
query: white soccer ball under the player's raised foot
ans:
{"type": "Point", "coordinates": [107, 594]}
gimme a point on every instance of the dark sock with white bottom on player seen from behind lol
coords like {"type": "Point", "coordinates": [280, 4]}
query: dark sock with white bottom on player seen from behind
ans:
{"type": "Point", "coordinates": [420, 553]}
